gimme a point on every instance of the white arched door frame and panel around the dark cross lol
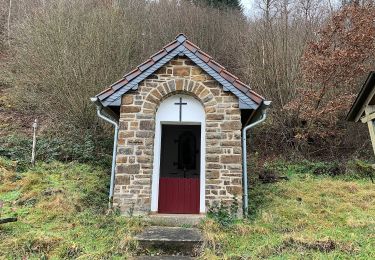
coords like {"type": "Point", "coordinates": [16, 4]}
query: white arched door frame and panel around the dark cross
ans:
{"type": "Point", "coordinates": [168, 113]}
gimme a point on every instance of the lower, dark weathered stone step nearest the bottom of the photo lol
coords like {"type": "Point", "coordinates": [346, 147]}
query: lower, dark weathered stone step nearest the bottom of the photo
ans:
{"type": "Point", "coordinates": [170, 240]}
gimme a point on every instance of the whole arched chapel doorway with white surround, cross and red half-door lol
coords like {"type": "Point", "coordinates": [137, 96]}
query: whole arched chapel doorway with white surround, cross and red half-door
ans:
{"type": "Point", "coordinates": [178, 183]}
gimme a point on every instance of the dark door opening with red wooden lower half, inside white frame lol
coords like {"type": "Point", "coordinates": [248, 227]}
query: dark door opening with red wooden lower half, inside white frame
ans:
{"type": "Point", "coordinates": [179, 183]}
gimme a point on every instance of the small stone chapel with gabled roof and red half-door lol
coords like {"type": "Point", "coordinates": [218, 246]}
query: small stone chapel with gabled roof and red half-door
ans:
{"type": "Point", "coordinates": [179, 120]}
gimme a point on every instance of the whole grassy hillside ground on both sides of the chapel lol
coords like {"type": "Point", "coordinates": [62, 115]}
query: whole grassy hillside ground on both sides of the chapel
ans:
{"type": "Point", "coordinates": [61, 211]}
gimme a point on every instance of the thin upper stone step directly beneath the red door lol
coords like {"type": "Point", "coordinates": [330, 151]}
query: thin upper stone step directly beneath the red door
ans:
{"type": "Point", "coordinates": [175, 220]}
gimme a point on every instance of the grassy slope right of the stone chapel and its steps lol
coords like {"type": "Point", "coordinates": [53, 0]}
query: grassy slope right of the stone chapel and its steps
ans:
{"type": "Point", "coordinates": [306, 217]}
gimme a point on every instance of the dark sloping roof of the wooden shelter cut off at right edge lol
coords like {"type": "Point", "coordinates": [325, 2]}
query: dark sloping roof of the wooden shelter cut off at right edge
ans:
{"type": "Point", "coordinates": [365, 97]}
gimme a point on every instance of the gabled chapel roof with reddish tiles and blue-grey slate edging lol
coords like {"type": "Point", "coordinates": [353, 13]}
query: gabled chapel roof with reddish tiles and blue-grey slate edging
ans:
{"type": "Point", "coordinates": [248, 99]}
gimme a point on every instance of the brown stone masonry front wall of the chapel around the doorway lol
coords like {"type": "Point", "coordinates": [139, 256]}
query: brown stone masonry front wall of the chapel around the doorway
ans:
{"type": "Point", "coordinates": [136, 136]}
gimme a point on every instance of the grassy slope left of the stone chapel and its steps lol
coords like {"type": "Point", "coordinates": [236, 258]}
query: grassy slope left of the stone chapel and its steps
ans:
{"type": "Point", "coordinates": [61, 214]}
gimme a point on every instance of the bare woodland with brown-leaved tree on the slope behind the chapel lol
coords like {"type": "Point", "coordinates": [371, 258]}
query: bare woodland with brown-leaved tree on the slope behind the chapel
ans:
{"type": "Point", "coordinates": [309, 57]}
